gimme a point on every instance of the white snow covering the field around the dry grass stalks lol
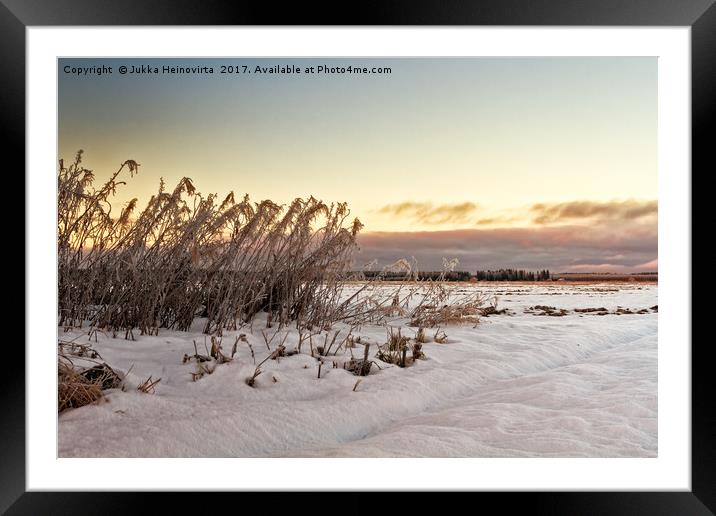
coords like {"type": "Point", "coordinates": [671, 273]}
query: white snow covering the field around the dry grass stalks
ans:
{"type": "Point", "coordinates": [522, 384]}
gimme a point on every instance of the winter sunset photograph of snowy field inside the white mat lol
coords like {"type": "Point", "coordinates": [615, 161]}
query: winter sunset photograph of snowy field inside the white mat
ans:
{"type": "Point", "coordinates": [357, 257]}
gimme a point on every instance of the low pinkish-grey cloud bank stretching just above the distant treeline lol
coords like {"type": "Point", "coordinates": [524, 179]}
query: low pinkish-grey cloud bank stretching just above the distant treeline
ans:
{"type": "Point", "coordinates": [628, 247]}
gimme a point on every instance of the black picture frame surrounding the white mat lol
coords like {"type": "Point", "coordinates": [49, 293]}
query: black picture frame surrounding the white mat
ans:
{"type": "Point", "coordinates": [700, 15]}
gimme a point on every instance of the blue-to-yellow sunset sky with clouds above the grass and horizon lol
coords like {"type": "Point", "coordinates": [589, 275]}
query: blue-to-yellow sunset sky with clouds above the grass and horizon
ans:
{"type": "Point", "coordinates": [515, 162]}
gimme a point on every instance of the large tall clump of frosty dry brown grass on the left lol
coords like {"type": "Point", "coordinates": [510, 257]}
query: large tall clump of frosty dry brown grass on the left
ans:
{"type": "Point", "coordinates": [186, 255]}
